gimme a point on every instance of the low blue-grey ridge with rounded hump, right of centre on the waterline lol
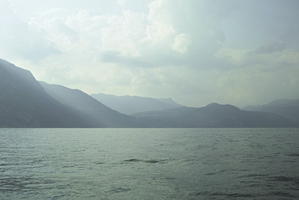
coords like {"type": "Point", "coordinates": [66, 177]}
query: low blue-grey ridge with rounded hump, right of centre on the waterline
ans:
{"type": "Point", "coordinates": [212, 116]}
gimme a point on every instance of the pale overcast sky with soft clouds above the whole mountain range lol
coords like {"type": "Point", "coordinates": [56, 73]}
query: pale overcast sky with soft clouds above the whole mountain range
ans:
{"type": "Point", "coordinates": [194, 51]}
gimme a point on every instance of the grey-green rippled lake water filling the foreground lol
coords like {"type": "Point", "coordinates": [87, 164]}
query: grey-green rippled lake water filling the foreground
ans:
{"type": "Point", "coordinates": [149, 164]}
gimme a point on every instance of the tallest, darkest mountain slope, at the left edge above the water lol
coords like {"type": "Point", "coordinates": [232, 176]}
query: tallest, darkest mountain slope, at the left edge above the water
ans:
{"type": "Point", "coordinates": [24, 103]}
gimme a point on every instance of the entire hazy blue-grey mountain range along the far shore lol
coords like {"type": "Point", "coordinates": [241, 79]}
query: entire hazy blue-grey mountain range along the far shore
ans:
{"type": "Point", "coordinates": [25, 102]}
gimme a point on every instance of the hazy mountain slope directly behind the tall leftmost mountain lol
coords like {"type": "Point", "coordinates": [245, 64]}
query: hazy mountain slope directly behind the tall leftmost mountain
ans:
{"type": "Point", "coordinates": [97, 113]}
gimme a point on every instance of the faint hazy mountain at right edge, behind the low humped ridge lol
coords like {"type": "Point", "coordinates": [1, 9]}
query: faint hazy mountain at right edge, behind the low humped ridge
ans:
{"type": "Point", "coordinates": [288, 108]}
